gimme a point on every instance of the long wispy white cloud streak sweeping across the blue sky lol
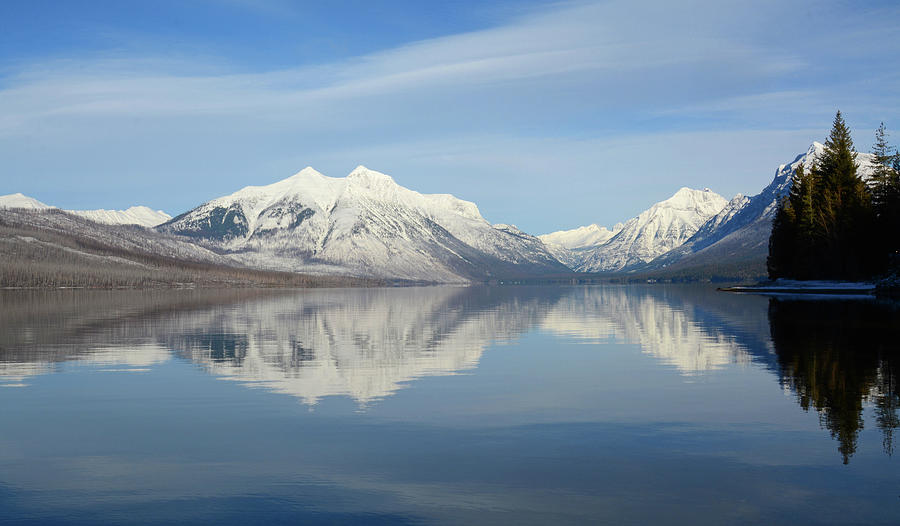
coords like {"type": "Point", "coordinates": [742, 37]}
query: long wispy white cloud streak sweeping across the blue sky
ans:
{"type": "Point", "coordinates": [592, 40]}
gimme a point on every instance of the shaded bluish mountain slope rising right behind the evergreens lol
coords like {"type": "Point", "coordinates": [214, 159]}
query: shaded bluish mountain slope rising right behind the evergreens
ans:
{"type": "Point", "coordinates": [740, 232]}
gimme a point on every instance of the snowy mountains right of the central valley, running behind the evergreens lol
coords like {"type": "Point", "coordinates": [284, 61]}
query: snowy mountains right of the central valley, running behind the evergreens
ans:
{"type": "Point", "coordinates": [693, 231]}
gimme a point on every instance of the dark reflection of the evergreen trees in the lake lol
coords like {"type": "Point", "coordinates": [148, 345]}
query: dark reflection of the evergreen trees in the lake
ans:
{"type": "Point", "coordinates": [835, 356]}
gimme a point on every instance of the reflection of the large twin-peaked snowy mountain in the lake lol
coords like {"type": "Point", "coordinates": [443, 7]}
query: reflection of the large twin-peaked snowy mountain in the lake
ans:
{"type": "Point", "coordinates": [365, 344]}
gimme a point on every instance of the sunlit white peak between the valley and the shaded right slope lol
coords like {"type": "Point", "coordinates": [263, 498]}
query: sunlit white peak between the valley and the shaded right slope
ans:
{"type": "Point", "coordinates": [655, 231]}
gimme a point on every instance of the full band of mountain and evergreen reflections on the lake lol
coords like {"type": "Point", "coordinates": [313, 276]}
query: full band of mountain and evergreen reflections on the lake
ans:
{"type": "Point", "coordinates": [366, 344]}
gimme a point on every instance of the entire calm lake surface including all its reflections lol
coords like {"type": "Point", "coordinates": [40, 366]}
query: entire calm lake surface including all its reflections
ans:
{"type": "Point", "coordinates": [445, 405]}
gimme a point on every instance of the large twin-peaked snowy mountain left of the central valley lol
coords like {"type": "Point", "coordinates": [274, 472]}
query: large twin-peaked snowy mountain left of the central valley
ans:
{"type": "Point", "coordinates": [362, 224]}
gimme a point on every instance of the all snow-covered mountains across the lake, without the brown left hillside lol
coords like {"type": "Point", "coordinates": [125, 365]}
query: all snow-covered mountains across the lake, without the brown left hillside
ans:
{"type": "Point", "coordinates": [366, 225]}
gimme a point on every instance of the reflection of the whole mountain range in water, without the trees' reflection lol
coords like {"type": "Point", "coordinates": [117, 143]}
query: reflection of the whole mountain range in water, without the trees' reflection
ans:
{"type": "Point", "coordinates": [366, 343]}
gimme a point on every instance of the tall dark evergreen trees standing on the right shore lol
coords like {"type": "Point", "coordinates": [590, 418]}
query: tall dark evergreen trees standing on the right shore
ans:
{"type": "Point", "coordinates": [833, 224]}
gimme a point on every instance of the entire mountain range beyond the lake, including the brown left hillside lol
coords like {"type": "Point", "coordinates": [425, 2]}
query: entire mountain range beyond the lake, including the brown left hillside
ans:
{"type": "Point", "coordinates": [365, 226]}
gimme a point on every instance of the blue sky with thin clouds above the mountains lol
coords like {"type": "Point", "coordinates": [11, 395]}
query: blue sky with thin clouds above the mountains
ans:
{"type": "Point", "coordinates": [547, 115]}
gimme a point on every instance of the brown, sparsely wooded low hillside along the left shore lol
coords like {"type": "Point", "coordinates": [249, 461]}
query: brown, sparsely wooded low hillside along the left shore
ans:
{"type": "Point", "coordinates": [52, 248]}
